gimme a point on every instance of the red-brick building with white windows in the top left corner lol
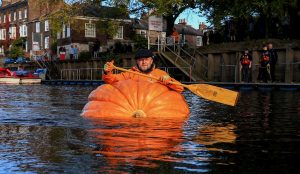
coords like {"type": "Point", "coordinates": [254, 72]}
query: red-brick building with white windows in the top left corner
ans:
{"type": "Point", "coordinates": [28, 20]}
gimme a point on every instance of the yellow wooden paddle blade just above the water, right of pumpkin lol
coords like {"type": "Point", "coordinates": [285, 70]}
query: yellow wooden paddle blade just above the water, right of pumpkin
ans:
{"type": "Point", "coordinates": [214, 93]}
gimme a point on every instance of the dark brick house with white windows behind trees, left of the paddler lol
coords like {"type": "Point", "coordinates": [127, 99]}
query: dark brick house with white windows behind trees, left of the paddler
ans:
{"type": "Point", "coordinates": [89, 26]}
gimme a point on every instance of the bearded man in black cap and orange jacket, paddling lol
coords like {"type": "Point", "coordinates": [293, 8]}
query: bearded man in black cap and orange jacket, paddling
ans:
{"type": "Point", "coordinates": [144, 64]}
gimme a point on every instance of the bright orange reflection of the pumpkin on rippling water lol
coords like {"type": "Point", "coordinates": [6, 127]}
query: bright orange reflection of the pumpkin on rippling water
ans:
{"type": "Point", "coordinates": [137, 142]}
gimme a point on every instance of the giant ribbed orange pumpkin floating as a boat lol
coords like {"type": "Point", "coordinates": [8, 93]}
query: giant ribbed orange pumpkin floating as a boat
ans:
{"type": "Point", "coordinates": [130, 98]}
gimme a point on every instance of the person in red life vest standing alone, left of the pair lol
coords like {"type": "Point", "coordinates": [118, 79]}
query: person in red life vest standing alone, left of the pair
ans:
{"type": "Point", "coordinates": [245, 66]}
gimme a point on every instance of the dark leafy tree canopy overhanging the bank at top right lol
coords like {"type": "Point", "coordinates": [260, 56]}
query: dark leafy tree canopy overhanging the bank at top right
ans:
{"type": "Point", "coordinates": [265, 11]}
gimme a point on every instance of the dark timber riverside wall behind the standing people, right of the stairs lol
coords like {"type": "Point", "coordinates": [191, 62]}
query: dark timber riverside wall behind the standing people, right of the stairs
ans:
{"type": "Point", "coordinates": [223, 61]}
